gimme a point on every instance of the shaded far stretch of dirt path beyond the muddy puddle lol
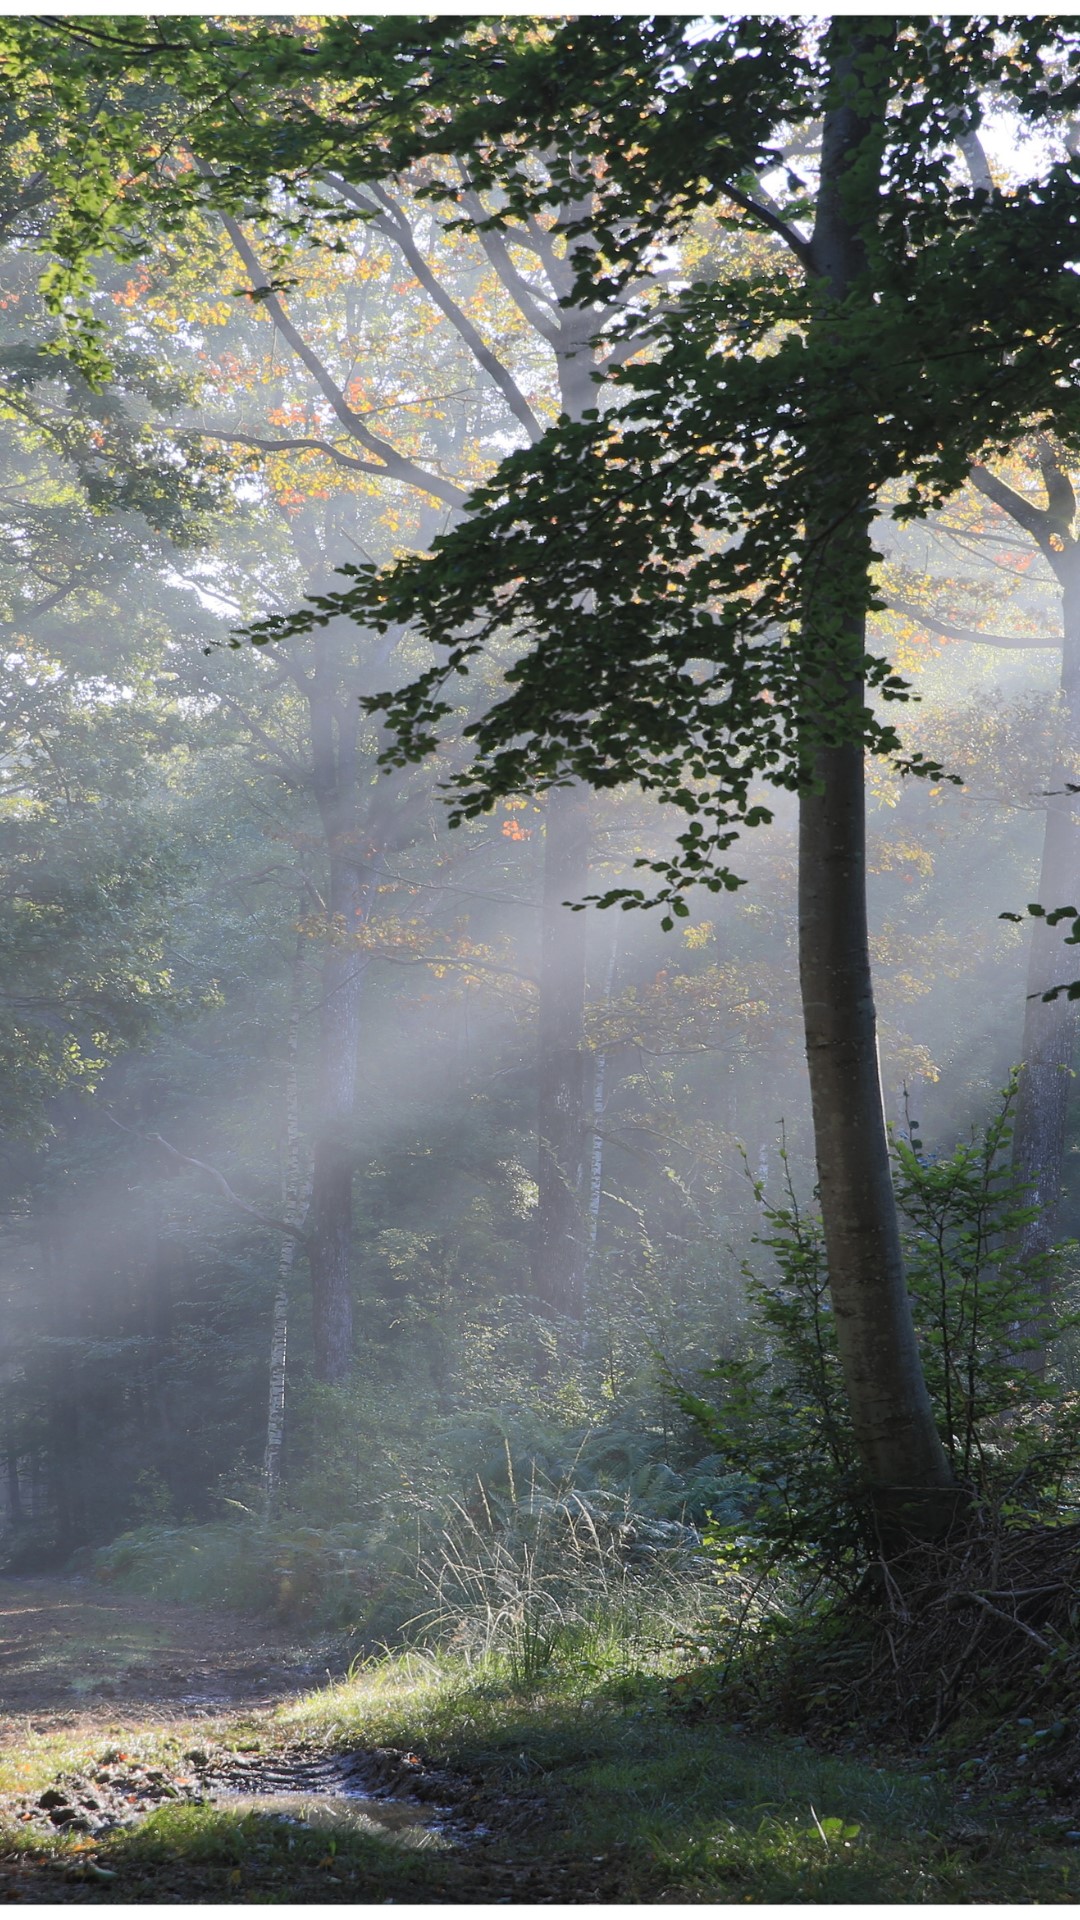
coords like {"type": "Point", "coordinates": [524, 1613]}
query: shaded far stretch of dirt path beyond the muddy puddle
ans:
{"type": "Point", "coordinates": [76, 1656]}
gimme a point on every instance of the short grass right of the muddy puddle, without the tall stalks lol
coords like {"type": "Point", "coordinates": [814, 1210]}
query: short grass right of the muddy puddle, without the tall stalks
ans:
{"type": "Point", "coordinates": [697, 1812]}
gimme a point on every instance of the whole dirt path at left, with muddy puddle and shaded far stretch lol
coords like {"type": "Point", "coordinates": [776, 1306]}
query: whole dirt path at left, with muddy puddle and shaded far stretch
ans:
{"type": "Point", "coordinates": [97, 1679]}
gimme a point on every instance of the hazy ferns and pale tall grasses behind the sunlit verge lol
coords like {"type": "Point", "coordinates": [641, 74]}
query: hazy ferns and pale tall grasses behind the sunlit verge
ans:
{"type": "Point", "coordinates": [506, 1537]}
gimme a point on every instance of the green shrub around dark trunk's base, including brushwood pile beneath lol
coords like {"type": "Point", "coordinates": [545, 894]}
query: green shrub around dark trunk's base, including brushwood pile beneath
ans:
{"type": "Point", "coordinates": [829, 1631]}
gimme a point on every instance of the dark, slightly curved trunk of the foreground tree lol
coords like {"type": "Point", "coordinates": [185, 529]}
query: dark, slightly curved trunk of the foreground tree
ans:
{"type": "Point", "coordinates": [900, 1451]}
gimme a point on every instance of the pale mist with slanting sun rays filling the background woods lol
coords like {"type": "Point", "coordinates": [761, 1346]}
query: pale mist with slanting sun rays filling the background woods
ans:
{"type": "Point", "coordinates": [262, 996]}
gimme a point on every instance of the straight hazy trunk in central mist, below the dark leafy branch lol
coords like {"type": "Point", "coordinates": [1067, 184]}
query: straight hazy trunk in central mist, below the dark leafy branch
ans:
{"type": "Point", "coordinates": [562, 1237]}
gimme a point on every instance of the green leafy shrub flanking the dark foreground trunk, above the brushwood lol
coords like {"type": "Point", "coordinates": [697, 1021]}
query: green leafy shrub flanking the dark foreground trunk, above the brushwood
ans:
{"type": "Point", "coordinates": [1012, 1433]}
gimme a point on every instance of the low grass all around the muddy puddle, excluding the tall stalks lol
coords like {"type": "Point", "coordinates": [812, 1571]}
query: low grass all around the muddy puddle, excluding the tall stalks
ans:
{"type": "Point", "coordinates": [587, 1787]}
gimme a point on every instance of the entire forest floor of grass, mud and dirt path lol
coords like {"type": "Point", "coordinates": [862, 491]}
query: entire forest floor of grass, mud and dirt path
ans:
{"type": "Point", "coordinates": [162, 1754]}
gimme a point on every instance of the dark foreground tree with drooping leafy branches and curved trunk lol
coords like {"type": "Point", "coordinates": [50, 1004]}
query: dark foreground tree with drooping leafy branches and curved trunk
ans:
{"type": "Point", "coordinates": [722, 512]}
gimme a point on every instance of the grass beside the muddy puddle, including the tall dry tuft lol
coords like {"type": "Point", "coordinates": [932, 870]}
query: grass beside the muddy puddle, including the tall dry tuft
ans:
{"type": "Point", "coordinates": [545, 1687]}
